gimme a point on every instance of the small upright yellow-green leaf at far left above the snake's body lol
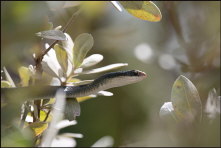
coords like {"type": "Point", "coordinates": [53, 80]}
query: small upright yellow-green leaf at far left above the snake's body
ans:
{"type": "Point", "coordinates": [24, 75]}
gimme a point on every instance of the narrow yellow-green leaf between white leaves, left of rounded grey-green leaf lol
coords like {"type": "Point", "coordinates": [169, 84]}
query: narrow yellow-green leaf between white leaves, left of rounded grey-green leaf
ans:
{"type": "Point", "coordinates": [62, 56]}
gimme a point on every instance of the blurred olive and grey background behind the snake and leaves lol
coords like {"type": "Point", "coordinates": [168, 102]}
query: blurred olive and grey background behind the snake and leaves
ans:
{"type": "Point", "coordinates": [185, 42]}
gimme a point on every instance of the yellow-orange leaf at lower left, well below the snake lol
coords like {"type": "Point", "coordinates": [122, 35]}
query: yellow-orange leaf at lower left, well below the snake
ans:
{"type": "Point", "coordinates": [38, 127]}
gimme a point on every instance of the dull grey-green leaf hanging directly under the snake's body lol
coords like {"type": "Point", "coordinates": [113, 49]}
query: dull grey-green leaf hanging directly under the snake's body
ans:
{"type": "Point", "coordinates": [72, 109]}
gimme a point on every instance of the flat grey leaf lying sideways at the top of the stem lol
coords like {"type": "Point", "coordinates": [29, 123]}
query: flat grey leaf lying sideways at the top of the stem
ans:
{"type": "Point", "coordinates": [52, 34]}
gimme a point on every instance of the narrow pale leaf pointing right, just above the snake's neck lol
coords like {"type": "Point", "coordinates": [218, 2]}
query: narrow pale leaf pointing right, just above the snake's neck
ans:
{"type": "Point", "coordinates": [105, 68]}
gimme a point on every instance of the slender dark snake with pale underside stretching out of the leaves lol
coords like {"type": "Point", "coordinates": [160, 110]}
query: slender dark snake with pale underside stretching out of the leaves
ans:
{"type": "Point", "coordinates": [104, 82]}
